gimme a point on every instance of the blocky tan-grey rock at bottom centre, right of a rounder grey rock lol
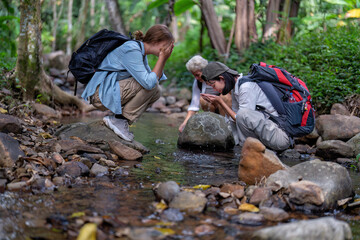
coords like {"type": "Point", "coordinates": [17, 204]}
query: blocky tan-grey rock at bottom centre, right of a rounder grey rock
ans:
{"type": "Point", "coordinates": [187, 201]}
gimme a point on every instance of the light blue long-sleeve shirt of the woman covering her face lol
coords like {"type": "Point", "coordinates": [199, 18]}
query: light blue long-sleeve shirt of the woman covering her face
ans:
{"type": "Point", "coordinates": [129, 57]}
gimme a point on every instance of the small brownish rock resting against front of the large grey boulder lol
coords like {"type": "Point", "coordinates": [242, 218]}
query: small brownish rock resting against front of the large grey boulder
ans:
{"type": "Point", "coordinates": [303, 192]}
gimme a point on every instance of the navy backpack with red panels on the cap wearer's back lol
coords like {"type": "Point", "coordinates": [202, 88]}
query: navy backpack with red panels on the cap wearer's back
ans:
{"type": "Point", "coordinates": [289, 96]}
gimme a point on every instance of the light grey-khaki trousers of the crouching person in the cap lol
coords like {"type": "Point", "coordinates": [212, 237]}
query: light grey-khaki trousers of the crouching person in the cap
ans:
{"type": "Point", "coordinates": [252, 123]}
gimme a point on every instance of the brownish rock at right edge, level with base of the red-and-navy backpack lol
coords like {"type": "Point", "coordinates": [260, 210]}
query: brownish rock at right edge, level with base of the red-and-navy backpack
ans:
{"type": "Point", "coordinates": [337, 127]}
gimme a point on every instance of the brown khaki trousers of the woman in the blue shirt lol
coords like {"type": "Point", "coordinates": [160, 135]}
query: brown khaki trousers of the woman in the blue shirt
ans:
{"type": "Point", "coordinates": [134, 99]}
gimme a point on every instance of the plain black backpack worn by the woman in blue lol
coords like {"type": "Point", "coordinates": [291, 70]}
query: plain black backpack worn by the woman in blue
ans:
{"type": "Point", "coordinates": [84, 61]}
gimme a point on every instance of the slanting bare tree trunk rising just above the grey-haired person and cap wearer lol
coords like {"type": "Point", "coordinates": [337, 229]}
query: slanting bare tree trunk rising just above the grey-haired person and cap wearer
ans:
{"type": "Point", "coordinates": [215, 32]}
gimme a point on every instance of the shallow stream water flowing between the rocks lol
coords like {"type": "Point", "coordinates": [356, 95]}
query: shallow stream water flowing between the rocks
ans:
{"type": "Point", "coordinates": [127, 201]}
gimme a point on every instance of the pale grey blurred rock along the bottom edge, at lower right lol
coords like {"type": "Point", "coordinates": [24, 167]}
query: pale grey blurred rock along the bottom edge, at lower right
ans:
{"type": "Point", "coordinates": [322, 228]}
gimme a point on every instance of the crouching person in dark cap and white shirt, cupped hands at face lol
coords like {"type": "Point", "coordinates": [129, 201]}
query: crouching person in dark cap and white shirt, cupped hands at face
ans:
{"type": "Point", "coordinates": [247, 121]}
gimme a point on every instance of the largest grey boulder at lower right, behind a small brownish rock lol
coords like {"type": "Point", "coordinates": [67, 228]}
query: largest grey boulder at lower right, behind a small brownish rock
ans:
{"type": "Point", "coordinates": [333, 179]}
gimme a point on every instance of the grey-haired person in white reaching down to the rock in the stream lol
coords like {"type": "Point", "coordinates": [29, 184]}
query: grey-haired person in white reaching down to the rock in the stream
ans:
{"type": "Point", "coordinates": [195, 65]}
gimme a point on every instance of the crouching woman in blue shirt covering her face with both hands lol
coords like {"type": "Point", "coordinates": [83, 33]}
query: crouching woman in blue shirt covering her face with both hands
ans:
{"type": "Point", "coordinates": [126, 85]}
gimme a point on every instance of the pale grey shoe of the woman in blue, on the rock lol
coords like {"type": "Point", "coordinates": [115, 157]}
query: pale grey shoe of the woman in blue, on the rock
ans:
{"type": "Point", "coordinates": [120, 127]}
